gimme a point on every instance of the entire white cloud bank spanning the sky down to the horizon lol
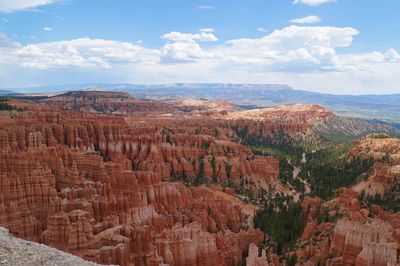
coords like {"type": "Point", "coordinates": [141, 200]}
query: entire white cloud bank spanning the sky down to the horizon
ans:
{"type": "Point", "coordinates": [304, 57]}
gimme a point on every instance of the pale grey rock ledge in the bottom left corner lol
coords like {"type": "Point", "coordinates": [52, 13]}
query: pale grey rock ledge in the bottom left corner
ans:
{"type": "Point", "coordinates": [18, 252]}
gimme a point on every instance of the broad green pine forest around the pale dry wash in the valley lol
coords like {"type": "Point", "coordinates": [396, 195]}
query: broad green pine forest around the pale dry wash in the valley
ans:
{"type": "Point", "coordinates": [327, 167]}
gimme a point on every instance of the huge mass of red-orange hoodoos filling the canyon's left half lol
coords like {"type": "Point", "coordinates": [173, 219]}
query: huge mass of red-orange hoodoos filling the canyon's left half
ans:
{"type": "Point", "coordinates": [99, 187]}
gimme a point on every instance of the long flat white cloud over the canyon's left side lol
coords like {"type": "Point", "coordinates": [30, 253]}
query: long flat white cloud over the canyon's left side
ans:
{"type": "Point", "coordinates": [83, 53]}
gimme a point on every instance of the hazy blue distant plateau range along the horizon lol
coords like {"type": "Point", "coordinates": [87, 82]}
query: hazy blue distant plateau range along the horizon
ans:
{"type": "Point", "coordinates": [383, 107]}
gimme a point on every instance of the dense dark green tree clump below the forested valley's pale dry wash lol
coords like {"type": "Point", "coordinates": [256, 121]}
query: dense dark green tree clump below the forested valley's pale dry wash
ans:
{"type": "Point", "coordinates": [283, 221]}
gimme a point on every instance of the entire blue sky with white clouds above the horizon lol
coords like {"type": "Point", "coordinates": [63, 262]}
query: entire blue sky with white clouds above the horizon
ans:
{"type": "Point", "coordinates": [330, 46]}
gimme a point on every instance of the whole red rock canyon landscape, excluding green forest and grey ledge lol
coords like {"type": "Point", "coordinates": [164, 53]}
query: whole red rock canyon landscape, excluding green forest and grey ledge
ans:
{"type": "Point", "coordinates": [119, 180]}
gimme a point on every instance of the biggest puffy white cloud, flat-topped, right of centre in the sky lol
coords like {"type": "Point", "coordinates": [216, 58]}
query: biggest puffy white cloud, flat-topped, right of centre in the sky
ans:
{"type": "Point", "coordinates": [294, 48]}
